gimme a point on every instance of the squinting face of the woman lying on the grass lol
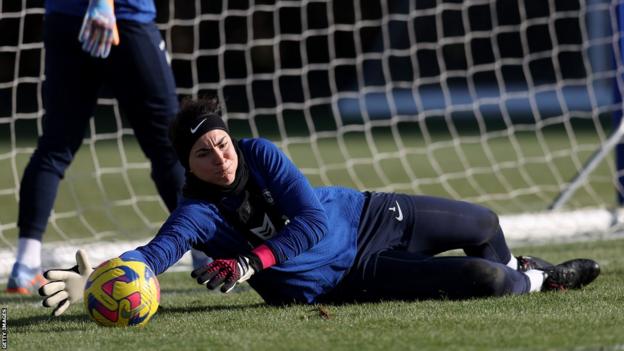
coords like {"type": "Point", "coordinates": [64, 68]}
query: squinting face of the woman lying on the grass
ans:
{"type": "Point", "coordinates": [213, 158]}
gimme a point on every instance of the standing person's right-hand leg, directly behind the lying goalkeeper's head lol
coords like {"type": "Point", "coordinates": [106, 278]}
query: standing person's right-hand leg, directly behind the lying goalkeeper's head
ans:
{"type": "Point", "coordinates": [143, 83]}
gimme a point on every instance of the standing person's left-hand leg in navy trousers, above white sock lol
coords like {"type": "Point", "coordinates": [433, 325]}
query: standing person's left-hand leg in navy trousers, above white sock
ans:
{"type": "Point", "coordinates": [69, 97]}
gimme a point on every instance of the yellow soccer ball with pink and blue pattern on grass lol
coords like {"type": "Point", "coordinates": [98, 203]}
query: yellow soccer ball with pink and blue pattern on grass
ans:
{"type": "Point", "coordinates": [122, 292]}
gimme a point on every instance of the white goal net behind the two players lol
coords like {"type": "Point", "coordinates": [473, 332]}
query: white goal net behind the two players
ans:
{"type": "Point", "coordinates": [510, 104]}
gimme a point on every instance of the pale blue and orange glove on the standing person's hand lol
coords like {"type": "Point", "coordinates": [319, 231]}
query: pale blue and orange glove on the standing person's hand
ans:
{"type": "Point", "coordinates": [99, 28]}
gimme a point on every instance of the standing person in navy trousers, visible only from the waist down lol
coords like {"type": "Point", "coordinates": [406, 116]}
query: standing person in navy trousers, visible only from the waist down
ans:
{"type": "Point", "coordinates": [89, 44]}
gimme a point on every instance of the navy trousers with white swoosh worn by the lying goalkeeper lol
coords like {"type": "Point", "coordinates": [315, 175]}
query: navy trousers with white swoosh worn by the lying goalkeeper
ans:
{"type": "Point", "coordinates": [399, 238]}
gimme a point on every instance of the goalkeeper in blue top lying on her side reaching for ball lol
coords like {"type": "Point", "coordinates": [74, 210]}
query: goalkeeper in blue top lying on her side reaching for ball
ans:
{"type": "Point", "coordinates": [248, 206]}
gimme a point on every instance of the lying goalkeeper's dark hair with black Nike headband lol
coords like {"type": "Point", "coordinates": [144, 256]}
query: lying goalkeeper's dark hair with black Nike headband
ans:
{"type": "Point", "coordinates": [195, 118]}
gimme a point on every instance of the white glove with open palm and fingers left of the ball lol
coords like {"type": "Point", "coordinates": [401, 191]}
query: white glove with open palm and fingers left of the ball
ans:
{"type": "Point", "coordinates": [66, 286]}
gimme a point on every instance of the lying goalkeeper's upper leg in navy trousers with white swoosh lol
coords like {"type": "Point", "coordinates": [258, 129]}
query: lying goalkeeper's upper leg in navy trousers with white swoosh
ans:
{"type": "Point", "coordinates": [428, 226]}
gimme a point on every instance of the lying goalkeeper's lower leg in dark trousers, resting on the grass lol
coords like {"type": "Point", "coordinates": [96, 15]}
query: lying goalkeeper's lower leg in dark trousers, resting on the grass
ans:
{"type": "Point", "coordinates": [404, 275]}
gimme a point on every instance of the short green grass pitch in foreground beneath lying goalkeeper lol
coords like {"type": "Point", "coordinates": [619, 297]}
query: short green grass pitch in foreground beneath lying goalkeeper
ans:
{"type": "Point", "coordinates": [190, 318]}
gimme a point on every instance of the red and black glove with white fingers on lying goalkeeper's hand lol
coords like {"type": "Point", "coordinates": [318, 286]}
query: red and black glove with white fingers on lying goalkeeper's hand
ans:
{"type": "Point", "coordinates": [230, 271]}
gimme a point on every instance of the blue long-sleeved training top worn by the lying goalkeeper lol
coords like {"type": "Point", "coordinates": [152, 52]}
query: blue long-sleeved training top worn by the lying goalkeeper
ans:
{"type": "Point", "coordinates": [312, 251]}
